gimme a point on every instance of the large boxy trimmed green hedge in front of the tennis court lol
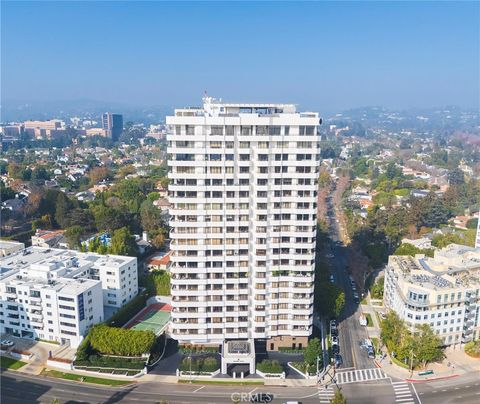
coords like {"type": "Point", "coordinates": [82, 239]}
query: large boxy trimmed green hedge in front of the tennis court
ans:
{"type": "Point", "coordinates": [120, 341]}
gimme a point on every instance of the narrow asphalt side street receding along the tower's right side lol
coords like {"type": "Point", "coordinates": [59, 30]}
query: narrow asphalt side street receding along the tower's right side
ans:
{"type": "Point", "coordinates": [350, 331]}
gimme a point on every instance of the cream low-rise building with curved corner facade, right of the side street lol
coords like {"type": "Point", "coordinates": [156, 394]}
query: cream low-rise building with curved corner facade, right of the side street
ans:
{"type": "Point", "coordinates": [443, 292]}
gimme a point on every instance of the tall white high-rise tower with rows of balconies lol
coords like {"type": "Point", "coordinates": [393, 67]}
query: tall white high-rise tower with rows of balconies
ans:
{"type": "Point", "coordinates": [243, 194]}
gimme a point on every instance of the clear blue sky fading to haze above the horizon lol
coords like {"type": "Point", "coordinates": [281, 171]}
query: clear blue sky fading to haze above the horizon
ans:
{"type": "Point", "coordinates": [321, 55]}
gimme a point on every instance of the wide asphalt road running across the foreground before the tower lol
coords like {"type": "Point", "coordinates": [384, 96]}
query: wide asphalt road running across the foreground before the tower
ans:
{"type": "Point", "coordinates": [19, 388]}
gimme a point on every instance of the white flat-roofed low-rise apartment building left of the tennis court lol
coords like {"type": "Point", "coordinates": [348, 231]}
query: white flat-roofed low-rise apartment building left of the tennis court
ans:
{"type": "Point", "coordinates": [58, 294]}
